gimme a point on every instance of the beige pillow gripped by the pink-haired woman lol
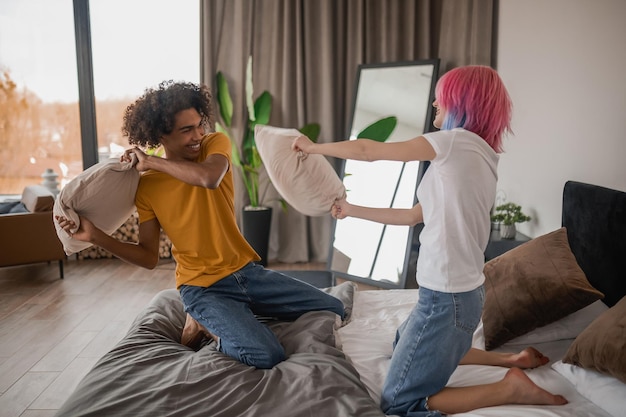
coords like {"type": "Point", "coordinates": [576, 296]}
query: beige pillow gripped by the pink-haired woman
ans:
{"type": "Point", "coordinates": [309, 184]}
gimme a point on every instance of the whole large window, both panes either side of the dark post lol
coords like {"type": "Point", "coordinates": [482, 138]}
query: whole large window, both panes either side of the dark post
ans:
{"type": "Point", "coordinates": [135, 44]}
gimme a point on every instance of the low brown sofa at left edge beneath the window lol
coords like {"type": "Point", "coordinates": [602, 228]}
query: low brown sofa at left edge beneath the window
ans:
{"type": "Point", "coordinates": [28, 232]}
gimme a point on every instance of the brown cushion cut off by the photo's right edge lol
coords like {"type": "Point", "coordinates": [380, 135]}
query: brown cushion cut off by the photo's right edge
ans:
{"type": "Point", "coordinates": [602, 345]}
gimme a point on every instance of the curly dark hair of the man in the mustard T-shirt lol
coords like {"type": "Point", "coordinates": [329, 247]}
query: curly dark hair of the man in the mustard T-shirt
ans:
{"type": "Point", "coordinates": [152, 114]}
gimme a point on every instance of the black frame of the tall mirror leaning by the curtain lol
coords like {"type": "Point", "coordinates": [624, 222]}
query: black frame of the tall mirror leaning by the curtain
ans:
{"type": "Point", "coordinates": [412, 244]}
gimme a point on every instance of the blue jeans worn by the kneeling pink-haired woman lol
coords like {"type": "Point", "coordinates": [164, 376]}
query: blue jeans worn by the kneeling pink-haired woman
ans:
{"type": "Point", "coordinates": [429, 346]}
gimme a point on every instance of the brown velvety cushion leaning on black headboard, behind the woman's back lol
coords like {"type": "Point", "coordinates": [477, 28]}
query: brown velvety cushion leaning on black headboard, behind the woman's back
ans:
{"type": "Point", "coordinates": [532, 285]}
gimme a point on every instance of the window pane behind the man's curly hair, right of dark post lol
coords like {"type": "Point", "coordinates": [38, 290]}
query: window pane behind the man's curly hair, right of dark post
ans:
{"type": "Point", "coordinates": [137, 44]}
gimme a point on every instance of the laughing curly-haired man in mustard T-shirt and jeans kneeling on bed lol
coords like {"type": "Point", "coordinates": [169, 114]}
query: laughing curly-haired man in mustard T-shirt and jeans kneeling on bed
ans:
{"type": "Point", "coordinates": [190, 194]}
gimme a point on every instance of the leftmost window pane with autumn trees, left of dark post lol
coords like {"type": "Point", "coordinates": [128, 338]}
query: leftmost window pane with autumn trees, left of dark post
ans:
{"type": "Point", "coordinates": [39, 116]}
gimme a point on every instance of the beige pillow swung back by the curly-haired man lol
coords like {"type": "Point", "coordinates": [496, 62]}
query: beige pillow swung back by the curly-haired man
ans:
{"type": "Point", "coordinates": [103, 193]}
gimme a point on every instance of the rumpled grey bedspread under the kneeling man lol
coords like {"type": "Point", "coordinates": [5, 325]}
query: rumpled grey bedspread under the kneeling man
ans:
{"type": "Point", "coordinates": [149, 373]}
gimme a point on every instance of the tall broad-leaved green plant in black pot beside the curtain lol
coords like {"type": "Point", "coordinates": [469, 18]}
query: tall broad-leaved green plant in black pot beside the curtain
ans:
{"type": "Point", "coordinates": [256, 215]}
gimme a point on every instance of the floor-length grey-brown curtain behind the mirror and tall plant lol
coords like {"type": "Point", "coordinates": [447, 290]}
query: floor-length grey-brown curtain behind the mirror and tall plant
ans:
{"type": "Point", "coordinates": [306, 54]}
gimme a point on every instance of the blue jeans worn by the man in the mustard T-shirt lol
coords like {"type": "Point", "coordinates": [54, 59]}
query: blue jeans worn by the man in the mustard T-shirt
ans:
{"type": "Point", "coordinates": [229, 309]}
